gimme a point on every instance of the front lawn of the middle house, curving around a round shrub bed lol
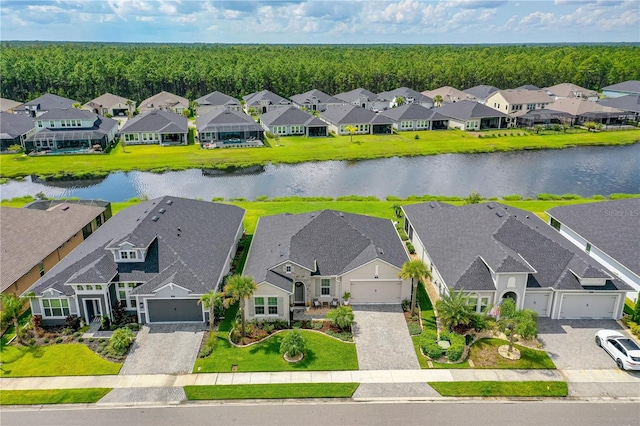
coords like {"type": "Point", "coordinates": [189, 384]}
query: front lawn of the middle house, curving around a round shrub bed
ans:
{"type": "Point", "coordinates": [323, 353]}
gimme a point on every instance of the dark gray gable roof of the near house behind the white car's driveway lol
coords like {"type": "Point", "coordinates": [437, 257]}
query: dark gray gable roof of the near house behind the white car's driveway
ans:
{"type": "Point", "coordinates": [505, 239]}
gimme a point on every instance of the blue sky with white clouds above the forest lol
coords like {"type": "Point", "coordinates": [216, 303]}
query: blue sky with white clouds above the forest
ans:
{"type": "Point", "coordinates": [323, 22]}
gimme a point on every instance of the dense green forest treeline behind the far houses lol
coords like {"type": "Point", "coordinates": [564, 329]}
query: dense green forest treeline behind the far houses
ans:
{"type": "Point", "coordinates": [83, 71]}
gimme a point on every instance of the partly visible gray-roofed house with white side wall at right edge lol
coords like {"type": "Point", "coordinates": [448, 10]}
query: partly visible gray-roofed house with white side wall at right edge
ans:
{"type": "Point", "coordinates": [609, 232]}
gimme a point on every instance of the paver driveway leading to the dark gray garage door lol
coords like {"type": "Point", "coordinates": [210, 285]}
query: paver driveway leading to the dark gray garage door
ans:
{"type": "Point", "coordinates": [164, 349]}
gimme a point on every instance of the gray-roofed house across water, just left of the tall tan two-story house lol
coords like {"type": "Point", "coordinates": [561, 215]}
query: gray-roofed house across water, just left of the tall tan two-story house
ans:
{"type": "Point", "coordinates": [470, 115]}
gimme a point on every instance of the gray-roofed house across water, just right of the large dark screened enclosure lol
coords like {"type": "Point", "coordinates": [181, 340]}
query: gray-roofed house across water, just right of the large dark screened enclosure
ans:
{"type": "Point", "coordinates": [293, 121]}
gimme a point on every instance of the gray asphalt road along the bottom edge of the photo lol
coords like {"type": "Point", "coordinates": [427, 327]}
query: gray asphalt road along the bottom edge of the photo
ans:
{"type": "Point", "coordinates": [583, 413]}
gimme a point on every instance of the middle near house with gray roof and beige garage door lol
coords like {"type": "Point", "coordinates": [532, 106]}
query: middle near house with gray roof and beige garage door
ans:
{"type": "Point", "coordinates": [298, 259]}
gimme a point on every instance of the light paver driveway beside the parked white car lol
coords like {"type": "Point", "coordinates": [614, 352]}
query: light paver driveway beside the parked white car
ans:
{"type": "Point", "coordinates": [571, 344]}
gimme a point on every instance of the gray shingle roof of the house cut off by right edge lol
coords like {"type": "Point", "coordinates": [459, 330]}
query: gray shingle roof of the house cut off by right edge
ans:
{"type": "Point", "coordinates": [612, 226]}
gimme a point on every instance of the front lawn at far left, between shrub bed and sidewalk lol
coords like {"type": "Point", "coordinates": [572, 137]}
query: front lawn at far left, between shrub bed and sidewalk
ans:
{"type": "Point", "coordinates": [56, 360]}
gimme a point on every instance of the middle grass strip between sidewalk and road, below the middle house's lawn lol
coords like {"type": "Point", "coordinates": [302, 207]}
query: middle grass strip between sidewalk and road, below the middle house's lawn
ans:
{"type": "Point", "coordinates": [275, 391]}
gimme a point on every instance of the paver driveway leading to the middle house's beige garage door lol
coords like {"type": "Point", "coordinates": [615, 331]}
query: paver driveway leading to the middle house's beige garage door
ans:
{"type": "Point", "coordinates": [382, 338]}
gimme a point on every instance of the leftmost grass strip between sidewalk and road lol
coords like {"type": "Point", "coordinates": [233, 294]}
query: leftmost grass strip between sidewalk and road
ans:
{"type": "Point", "coordinates": [52, 396]}
